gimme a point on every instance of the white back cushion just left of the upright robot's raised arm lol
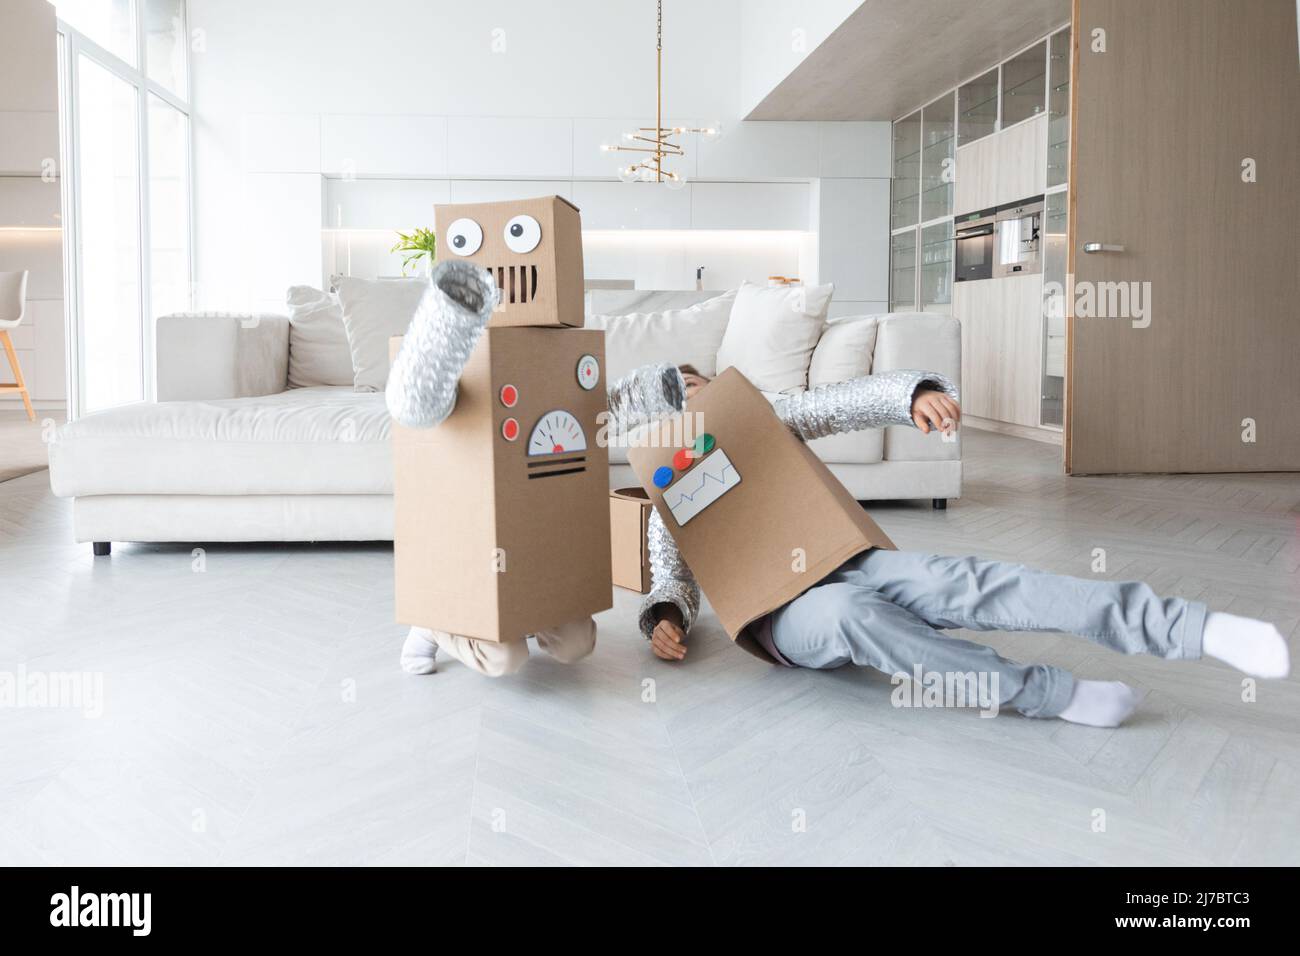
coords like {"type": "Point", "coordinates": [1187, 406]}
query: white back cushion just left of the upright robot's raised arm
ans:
{"type": "Point", "coordinates": [374, 313]}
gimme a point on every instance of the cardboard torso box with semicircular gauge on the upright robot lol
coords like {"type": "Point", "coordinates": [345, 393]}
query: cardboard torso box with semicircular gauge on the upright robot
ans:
{"type": "Point", "coordinates": [496, 538]}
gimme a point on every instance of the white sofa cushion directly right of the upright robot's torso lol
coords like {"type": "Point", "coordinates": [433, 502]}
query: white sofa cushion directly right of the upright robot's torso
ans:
{"type": "Point", "coordinates": [681, 336]}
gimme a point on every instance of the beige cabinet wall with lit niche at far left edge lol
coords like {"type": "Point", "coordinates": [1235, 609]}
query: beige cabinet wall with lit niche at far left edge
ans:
{"type": "Point", "coordinates": [31, 204]}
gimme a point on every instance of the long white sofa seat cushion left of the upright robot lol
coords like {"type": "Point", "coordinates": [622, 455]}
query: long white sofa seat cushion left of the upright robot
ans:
{"type": "Point", "coordinates": [302, 442]}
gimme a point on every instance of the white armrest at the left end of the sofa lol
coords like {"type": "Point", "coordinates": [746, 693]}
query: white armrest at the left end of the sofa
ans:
{"type": "Point", "coordinates": [220, 356]}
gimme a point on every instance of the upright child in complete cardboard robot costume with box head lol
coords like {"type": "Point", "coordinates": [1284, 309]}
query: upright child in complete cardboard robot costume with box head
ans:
{"type": "Point", "coordinates": [502, 518]}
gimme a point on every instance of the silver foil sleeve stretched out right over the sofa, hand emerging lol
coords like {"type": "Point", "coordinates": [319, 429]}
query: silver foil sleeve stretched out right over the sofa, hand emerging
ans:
{"type": "Point", "coordinates": [873, 401]}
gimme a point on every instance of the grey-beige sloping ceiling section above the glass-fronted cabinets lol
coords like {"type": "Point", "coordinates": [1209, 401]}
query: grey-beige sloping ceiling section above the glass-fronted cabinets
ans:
{"type": "Point", "coordinates": [891, 57]}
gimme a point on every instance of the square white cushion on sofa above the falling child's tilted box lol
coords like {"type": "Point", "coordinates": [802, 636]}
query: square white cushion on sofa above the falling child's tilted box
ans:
{"type": "Point", "coordinates": [773, 332]}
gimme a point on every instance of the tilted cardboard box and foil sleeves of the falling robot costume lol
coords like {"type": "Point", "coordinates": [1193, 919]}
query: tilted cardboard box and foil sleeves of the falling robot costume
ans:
{"type": "Point", "coordinates": [723, 505]}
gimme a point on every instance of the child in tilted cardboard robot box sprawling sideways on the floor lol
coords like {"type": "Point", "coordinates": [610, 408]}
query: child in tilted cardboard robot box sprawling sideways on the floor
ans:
{"type": "Point", "coordinates": [799, 574]}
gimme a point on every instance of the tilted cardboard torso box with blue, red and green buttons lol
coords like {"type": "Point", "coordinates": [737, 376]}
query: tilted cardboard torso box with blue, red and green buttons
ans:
{"type": "Point", "coordinates": [759, 517]}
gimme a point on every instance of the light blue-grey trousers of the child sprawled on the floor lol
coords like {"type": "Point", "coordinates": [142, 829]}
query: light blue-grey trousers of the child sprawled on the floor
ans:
{"type": "Point", "coordinates": [886, 609]}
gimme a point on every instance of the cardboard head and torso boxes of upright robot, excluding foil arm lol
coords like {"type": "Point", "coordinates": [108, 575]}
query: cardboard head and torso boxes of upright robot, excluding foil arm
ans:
{"type": "Point", "coordinates": [502, 518]}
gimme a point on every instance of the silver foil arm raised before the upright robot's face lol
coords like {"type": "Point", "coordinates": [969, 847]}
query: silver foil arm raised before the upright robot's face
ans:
{"type": "Point", "coordinates": [422, 390]}
